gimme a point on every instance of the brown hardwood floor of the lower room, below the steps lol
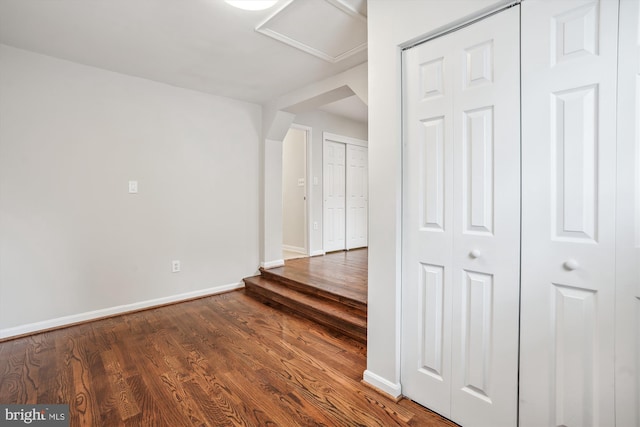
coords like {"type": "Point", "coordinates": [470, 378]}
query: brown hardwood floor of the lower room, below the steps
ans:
{"type": "Point", "coordinates": [220, 360]}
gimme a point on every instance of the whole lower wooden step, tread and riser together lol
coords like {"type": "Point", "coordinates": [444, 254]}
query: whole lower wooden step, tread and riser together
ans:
{"type": "Point", "coordinates": [333, 314]}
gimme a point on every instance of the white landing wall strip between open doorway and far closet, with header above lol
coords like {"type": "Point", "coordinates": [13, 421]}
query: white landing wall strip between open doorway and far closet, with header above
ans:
{"type": "Point", "coordinates": [320, 122]}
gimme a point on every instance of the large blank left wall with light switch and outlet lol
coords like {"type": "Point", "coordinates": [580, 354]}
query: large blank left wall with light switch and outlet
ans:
{"type": "Point", "coordinates": [73, 242]}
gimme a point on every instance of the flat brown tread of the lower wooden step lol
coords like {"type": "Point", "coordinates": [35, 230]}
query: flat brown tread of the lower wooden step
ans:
{"type": "Point", "coordinates": [344, 313]}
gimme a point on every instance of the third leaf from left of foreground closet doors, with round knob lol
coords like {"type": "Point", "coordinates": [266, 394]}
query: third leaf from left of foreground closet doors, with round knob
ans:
{"type": "Point", "coordinates": [568, 212]}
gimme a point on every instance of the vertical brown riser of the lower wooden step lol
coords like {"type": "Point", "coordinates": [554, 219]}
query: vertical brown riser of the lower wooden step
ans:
{"type": "Point", "coordinates": [278, 301]}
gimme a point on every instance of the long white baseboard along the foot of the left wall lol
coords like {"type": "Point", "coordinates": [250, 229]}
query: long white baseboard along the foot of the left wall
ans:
{"type": "Point", "coordinates": [112, 311]}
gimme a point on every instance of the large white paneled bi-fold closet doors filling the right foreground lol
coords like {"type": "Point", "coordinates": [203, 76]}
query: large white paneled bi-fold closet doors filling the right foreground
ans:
{"type": "Point", "coordinates": [579, 333]}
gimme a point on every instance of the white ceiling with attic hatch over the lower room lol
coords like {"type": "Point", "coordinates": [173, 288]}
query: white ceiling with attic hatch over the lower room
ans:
{"type": "Point", "coordinates": [205, 45]}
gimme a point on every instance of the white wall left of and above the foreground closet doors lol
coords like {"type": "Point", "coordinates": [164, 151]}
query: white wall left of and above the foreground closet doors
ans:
{"type": "Point", "coordinates": [392, 24]}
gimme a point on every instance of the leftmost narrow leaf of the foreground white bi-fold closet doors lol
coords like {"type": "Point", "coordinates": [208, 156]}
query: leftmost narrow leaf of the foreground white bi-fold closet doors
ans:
{"type": "Point", "coordinates": [427, 226]}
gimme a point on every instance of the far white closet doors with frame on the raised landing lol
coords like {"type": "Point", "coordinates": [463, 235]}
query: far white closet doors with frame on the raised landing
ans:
{"type": "Point", "coordinates": [345, 189]}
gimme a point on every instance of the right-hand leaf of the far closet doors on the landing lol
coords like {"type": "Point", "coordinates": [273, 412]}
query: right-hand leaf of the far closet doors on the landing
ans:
{"type": "Point", "coordinates": [357, 197]}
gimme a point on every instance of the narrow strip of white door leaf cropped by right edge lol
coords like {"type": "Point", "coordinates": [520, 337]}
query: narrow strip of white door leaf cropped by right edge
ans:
{"type": "Point", "coordinates": [628, 219]}
